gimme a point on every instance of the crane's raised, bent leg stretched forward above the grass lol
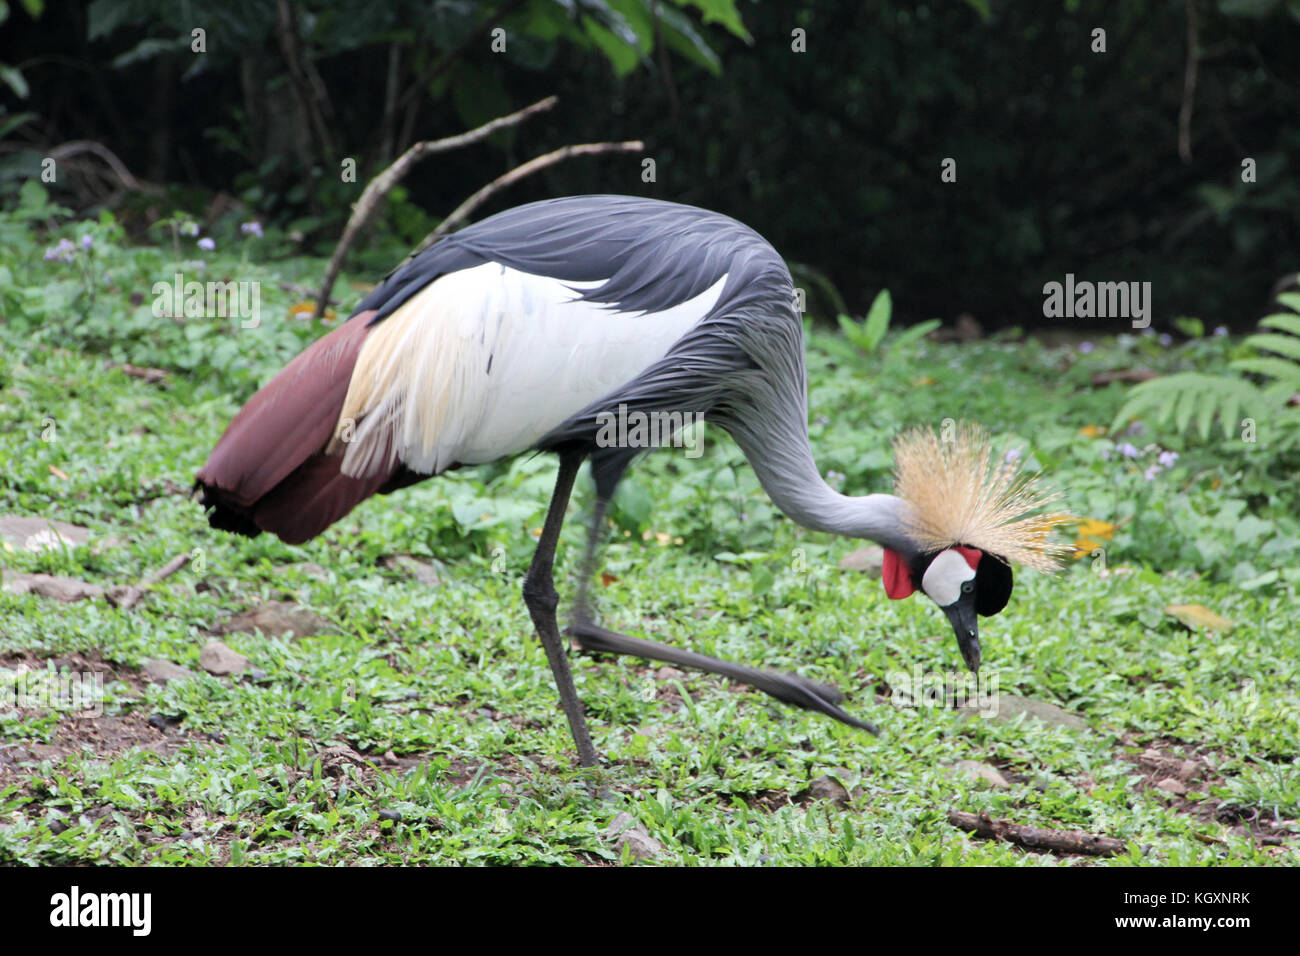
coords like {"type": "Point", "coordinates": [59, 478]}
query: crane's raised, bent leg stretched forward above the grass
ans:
{"type": "Point", "coordinates": [788, 689]}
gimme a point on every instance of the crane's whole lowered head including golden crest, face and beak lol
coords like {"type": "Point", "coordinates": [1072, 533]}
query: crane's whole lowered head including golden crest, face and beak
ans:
{"type": "Point", "coordinates": [968, 517]}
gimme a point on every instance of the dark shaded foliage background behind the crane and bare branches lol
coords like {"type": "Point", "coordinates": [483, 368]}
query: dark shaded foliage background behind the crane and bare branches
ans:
{"type": "Point", "coordinates": [1068, 159]}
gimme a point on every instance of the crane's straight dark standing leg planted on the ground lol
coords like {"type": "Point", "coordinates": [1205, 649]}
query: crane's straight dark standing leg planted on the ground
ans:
{"type": "Point", "coordinates": [541, 599]}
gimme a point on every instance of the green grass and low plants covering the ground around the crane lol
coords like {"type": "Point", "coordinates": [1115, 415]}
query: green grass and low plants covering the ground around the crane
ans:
{"type": "Point", "coordinates": [447, 694]}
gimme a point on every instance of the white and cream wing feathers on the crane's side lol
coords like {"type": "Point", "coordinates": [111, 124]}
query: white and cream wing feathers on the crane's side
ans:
{"type": "Point", "coordinates": [484, 362]}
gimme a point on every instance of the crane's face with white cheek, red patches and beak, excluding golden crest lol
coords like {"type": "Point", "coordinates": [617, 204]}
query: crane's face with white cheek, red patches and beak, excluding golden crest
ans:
{"type": "Point", "coordinates": [964, 582]}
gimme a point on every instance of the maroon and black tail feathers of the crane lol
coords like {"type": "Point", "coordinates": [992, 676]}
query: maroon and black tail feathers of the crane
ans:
{"type": "Point", "coordinates": [271, 473]}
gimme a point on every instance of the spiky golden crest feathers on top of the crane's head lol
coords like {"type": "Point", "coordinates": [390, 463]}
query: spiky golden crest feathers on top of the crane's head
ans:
{"type": "Point", "coordinates": [960, 494]}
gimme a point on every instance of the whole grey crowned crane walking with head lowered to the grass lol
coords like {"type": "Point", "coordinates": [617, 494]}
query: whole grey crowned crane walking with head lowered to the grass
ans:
{"type": "Point", "coordinates": [526, 331]}
